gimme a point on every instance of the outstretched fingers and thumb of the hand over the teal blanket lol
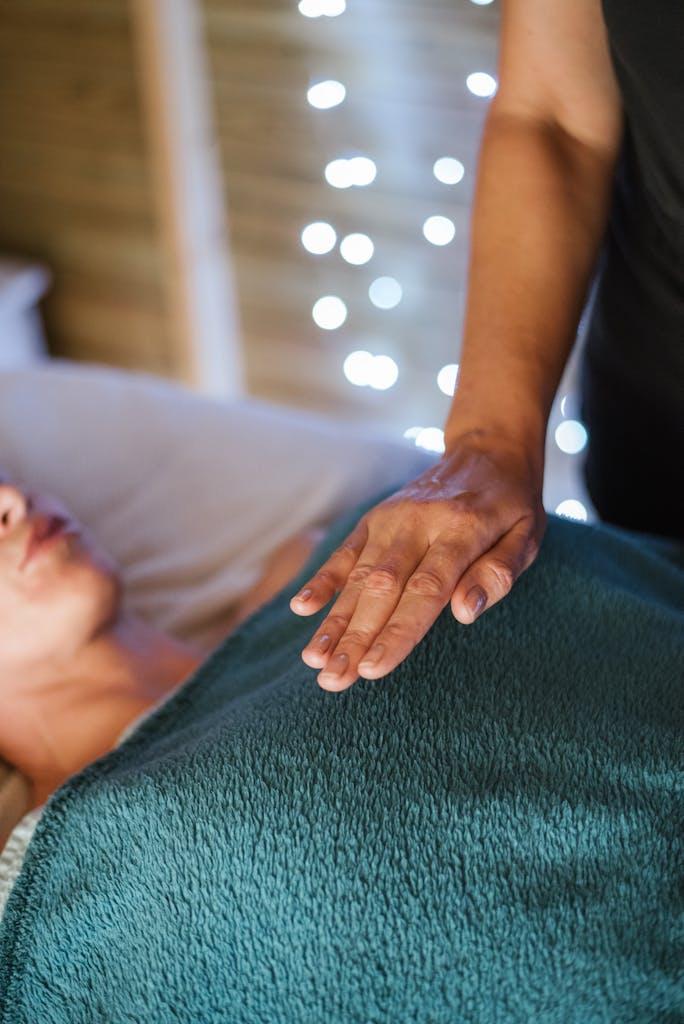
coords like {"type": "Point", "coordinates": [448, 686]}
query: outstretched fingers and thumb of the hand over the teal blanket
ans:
{"type": "Point", "coordinates": [392, 593]}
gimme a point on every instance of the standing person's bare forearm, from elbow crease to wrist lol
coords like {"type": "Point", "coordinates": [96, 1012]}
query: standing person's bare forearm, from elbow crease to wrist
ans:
{"type": "Point", "coordinates": [540, 215]}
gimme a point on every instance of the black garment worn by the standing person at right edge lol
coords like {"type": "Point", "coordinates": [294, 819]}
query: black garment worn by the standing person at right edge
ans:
{"type": "Point", "coordinates": [633, 374]}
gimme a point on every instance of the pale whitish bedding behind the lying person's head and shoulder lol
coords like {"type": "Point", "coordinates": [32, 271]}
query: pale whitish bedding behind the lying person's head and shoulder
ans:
{"type": "Point", "coordinates": [190, 495]}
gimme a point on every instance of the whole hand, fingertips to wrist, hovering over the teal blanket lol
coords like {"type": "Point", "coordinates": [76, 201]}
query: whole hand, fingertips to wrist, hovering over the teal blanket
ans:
{"type": "Point", "coordinates": [463, 532]}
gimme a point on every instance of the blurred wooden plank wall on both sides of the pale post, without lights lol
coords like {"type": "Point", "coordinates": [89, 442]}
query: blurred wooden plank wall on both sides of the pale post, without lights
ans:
{"type": "Point", "coordinates": [78, 191]}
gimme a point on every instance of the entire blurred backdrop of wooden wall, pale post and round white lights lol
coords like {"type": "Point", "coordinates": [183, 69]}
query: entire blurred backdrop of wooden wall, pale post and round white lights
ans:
{"type": "Point", "coordinates": [256, 197]}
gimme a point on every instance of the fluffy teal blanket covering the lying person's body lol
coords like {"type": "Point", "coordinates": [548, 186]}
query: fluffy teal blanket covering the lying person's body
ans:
{"type": "Point", "coordinates": [494, 833]}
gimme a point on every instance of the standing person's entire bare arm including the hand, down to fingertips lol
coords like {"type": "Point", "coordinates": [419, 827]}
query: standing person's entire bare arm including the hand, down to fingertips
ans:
{"type": "Point", "coordinates": [465, 531]}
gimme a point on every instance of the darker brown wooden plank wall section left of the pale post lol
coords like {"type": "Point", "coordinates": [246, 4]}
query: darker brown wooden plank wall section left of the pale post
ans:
{"type": "Point", "coordinates": [76, 189]}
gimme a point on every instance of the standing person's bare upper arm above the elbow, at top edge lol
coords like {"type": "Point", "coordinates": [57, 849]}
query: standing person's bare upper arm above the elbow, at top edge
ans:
{"type": "Point", "coordinates": [555, 66]}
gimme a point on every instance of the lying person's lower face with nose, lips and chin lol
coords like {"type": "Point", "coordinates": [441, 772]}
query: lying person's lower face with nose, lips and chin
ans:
{"type": "Point", "coordinates": [58, 589]}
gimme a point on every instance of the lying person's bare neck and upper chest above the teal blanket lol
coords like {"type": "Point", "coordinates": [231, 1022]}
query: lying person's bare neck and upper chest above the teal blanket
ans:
{"type": "Point", "coordinates": [63, 719]}
